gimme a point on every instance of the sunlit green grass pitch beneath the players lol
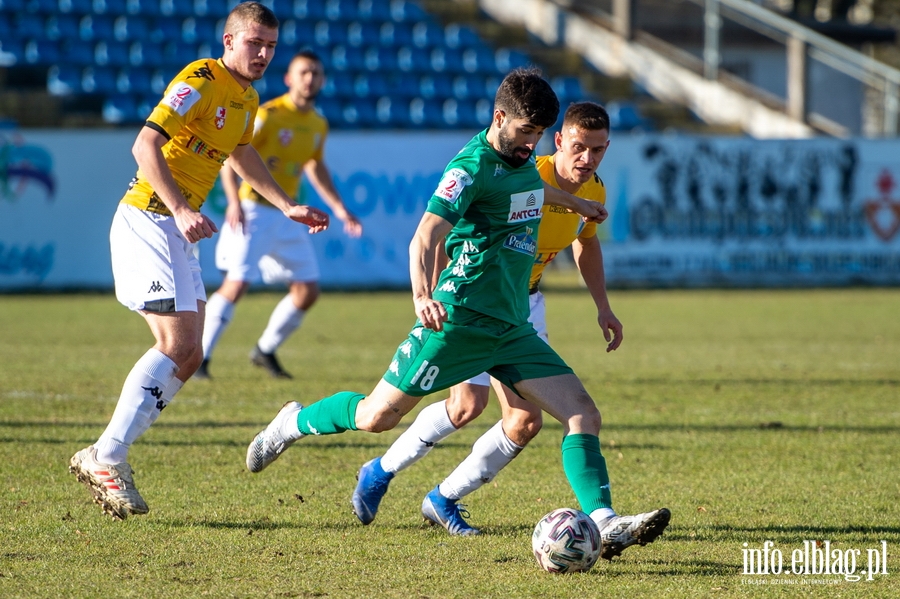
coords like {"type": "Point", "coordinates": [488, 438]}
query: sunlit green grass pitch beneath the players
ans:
{"type": "Point", "coordinates": [752, 415]}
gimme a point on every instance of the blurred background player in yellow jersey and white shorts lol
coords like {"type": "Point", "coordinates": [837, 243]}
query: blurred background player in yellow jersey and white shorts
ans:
{"type": "Point", "coordinates": [256, 242]}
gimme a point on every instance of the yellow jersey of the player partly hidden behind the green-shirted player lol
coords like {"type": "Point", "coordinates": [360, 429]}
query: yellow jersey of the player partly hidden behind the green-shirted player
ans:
{"type": "Point", "coordinates": [559, 227]}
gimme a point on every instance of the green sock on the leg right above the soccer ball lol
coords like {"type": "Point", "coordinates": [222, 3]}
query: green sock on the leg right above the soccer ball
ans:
{"type": "Point", "coordinates": [585, 468]}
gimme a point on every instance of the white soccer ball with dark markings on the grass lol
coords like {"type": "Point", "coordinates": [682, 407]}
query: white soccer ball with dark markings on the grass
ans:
{"type": "Point", "coordinates": [566, 540]}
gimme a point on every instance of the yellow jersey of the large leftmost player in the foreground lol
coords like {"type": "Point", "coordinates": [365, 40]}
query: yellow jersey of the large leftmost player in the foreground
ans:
{"type": "Point", "coordinates": [205, 114]}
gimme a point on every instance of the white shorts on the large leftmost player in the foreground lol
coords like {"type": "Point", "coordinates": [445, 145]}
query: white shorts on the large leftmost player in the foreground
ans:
{"type": "Point", "coordinates": [155, 268]}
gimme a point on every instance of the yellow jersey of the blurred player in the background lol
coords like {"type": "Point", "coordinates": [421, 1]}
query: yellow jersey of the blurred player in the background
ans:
{"type": "Point", "coordinates": [286, 138]}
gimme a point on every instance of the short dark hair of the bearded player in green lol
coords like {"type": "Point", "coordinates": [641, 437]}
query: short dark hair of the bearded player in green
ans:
{"type": "Point", "coordinates": [524, 94]}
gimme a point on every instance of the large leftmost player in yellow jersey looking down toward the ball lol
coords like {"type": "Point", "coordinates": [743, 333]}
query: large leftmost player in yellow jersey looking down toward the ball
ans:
{"type": "Point", "coordinates": [204, 119]}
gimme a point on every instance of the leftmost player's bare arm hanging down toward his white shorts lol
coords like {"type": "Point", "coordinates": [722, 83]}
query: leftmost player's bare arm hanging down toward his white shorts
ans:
{"type": "Point", "coordinates": [147, 151]}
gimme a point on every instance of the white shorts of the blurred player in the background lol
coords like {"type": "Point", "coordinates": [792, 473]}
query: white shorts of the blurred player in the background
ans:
{"type": "Point", "coordinates": [270, 247]}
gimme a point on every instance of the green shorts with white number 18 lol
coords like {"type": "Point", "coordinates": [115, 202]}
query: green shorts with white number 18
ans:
{"type": "Point", "coordinates": [471, 343]}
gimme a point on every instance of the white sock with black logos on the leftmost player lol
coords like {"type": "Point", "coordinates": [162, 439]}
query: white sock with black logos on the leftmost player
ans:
{"type": "Point", "coordinates": [139, 405]}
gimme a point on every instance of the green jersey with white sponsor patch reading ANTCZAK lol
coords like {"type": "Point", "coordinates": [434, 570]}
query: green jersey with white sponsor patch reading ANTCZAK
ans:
{"type": "Point", "coordinates": [495, 210]}
